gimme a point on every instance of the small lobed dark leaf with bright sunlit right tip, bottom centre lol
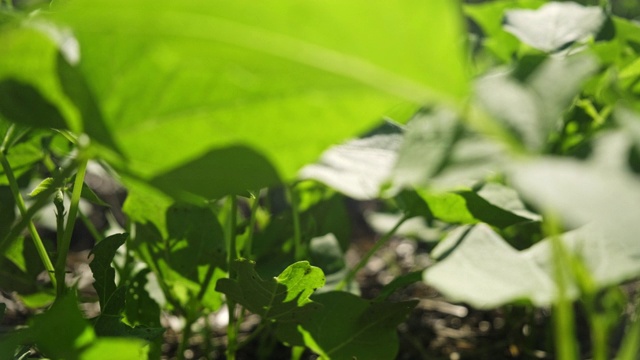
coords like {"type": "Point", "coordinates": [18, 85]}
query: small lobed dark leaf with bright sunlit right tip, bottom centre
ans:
{"type": "Point", "coordinates": [282, 298]}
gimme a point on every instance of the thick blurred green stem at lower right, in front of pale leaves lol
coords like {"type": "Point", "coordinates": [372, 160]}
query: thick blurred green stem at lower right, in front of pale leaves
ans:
{"type": "Point", "coordinates": [563, 314]}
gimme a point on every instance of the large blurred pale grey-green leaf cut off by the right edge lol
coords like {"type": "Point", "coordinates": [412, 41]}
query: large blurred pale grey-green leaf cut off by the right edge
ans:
{"type": "Point", "coordinates": [596, 194]}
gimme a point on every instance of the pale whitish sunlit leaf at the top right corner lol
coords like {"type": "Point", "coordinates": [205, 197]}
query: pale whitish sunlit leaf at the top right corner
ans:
{"type": "Point", "coordinates": [554, 25]}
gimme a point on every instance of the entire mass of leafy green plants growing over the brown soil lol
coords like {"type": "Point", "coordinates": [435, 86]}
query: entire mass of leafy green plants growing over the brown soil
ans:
{"type": "Point", "coordinates": [508, 130]}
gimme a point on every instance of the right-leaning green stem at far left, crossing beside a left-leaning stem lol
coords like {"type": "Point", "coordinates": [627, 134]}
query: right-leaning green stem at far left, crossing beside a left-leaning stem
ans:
{"type": "Point", "coordinates": [63, 245]}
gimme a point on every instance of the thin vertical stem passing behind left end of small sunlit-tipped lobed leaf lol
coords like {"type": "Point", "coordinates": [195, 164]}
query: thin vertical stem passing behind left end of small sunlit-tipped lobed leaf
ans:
{"type": "Point", "coordinates": [232, 327]}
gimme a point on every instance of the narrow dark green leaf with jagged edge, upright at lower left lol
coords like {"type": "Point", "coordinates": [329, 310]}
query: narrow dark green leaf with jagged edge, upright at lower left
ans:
{"type": "Point", "coordinates": [104, 274]}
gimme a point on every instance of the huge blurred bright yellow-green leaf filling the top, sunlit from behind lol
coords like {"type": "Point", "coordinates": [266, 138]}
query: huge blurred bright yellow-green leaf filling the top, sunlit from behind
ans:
{"type": "Point", "coordinates": [176, 80]}
